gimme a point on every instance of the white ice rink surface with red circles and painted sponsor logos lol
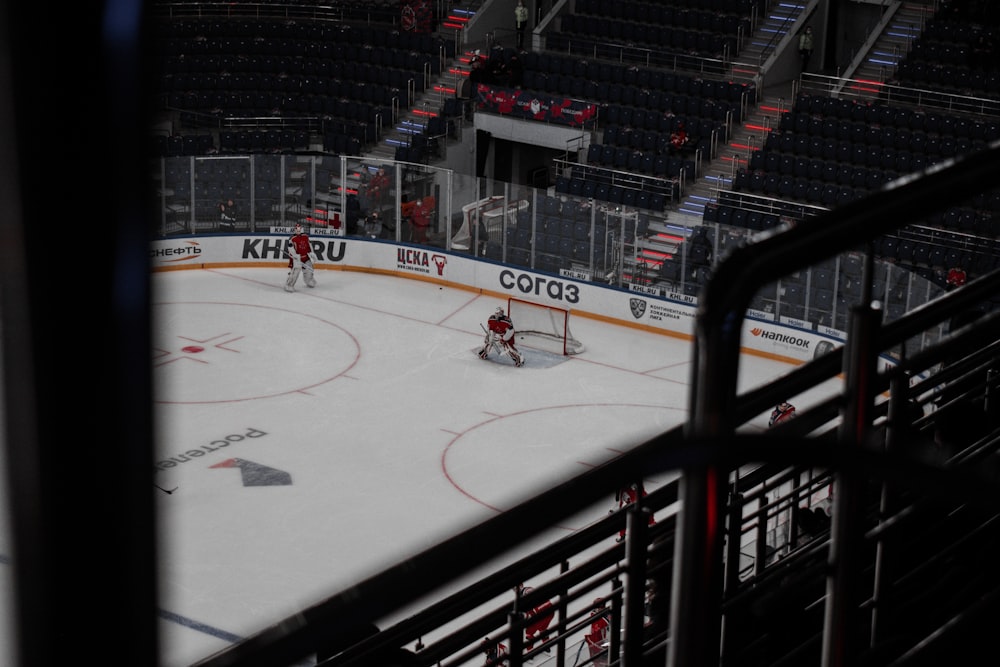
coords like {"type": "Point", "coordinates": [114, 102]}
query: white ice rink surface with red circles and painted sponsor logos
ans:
{"type": "Point", "coordinates": [307, 440]}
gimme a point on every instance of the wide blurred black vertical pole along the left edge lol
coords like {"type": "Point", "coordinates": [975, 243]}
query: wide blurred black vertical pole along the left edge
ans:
{"type": "Point", "coordinates": [81, 474]}
